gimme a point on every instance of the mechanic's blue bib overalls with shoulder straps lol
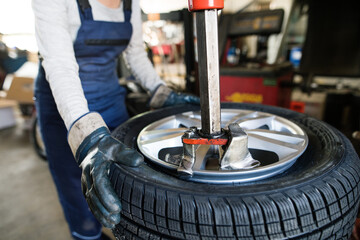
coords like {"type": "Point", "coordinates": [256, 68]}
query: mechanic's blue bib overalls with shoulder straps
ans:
{"type": "Point", "coordinates": [97, 46]}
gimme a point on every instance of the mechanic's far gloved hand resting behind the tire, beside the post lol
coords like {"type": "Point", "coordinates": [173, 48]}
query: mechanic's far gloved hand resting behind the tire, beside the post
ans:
{"type": "Point", "coordinates": [165, 97]}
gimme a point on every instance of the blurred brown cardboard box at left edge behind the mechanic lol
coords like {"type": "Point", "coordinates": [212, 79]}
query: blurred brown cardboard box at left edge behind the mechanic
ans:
{"type": "Point", "coordinates": [21, 90]}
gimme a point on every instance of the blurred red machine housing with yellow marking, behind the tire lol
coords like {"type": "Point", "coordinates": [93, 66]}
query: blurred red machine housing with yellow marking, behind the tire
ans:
{"type": "Point", "coordinates": [269, 86]}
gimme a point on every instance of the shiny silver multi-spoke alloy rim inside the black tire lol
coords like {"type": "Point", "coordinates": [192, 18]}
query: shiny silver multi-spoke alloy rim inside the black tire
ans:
{"type": "Point", "coordinates": [277, 141]}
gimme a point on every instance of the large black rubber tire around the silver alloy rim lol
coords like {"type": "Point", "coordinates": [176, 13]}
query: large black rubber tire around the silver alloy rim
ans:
{"type": "Point", "coordinates": [316, 198]}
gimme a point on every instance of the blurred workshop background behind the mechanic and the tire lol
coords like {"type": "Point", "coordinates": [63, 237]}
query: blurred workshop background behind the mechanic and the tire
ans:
{"type": "Point", "coordinates": [301, 55]}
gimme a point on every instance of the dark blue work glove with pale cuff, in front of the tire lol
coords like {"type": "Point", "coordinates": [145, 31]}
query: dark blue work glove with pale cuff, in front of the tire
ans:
{"type": "Point", "coordinates": [95, 150]}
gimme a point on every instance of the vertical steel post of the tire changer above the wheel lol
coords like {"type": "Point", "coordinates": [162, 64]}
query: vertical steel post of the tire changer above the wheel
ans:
{"type": "Point", "coordinates": [208, 58]}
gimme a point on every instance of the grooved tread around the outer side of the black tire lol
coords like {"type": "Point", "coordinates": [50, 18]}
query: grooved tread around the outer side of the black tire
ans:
{"type": "Point", "coordinates": [323, 208]}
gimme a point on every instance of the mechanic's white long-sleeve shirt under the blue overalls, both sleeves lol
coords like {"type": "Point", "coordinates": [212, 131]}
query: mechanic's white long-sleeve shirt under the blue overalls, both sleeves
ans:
{"type": "Point", "coordinates": [57, 23]}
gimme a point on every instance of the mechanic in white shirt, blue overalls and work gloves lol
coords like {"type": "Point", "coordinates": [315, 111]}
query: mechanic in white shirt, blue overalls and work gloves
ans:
{"type": "Point", "coordinates": [79, 101]}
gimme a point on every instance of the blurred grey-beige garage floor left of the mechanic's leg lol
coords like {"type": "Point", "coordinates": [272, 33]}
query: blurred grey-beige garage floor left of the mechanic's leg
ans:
{"type": "Point", "coordinates": [29, 208]}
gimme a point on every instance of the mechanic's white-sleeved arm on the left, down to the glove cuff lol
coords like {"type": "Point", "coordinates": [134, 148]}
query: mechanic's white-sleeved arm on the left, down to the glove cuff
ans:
{"type": "Point", "coordinates": [56, 47]}
